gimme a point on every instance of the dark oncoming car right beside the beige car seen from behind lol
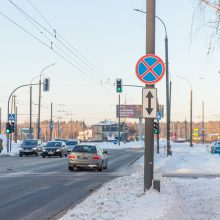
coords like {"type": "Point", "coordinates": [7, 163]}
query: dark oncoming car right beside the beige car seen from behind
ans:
{"type": "Point", "coordinates": [54, 148]}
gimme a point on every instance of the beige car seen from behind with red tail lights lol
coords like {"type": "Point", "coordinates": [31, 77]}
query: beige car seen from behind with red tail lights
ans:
{"type": "Point", "coordinates": [88, 156]}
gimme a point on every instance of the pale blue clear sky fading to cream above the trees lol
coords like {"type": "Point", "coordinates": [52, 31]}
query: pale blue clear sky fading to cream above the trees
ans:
{"type": "Point", "coordinates": [94, 43]}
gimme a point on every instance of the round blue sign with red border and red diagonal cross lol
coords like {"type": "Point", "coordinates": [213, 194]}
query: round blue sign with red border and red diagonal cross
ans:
{"type": "Point", "coordinates": [150, 69]}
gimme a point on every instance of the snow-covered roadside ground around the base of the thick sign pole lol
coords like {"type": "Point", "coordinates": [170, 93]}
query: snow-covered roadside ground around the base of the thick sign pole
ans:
{"type": "Point", "coordinates": [180, 198]}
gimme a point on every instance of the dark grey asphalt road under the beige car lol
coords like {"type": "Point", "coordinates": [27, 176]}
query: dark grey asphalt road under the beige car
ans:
{"type": "Point", "coordinates": [43, 188]}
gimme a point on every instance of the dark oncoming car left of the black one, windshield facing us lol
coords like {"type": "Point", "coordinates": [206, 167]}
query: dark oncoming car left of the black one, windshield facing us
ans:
{"type": "Point", "coordinates": [30, 147]}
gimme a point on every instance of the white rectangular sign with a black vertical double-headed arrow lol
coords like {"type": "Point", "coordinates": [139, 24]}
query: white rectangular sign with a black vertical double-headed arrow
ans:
{"type": "Point", "coordinates": [149, 103]}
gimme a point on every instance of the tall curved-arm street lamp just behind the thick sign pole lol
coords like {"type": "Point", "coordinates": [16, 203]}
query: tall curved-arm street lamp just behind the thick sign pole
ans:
{"type": "Point", "coordinates": [168, 91]}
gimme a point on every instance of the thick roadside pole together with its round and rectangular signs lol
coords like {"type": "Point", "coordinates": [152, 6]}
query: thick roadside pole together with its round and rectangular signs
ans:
{"type": "Point", "coordinates": [150, 69]}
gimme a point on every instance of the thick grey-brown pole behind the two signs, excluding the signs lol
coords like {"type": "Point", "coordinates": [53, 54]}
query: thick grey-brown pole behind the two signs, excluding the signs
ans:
{"type": "Point", "coordinates": [149, 122]}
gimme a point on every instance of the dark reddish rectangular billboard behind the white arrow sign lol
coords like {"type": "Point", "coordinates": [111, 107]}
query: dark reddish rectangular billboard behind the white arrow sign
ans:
{"type": "Point", "coordinates": [129, 111]}
